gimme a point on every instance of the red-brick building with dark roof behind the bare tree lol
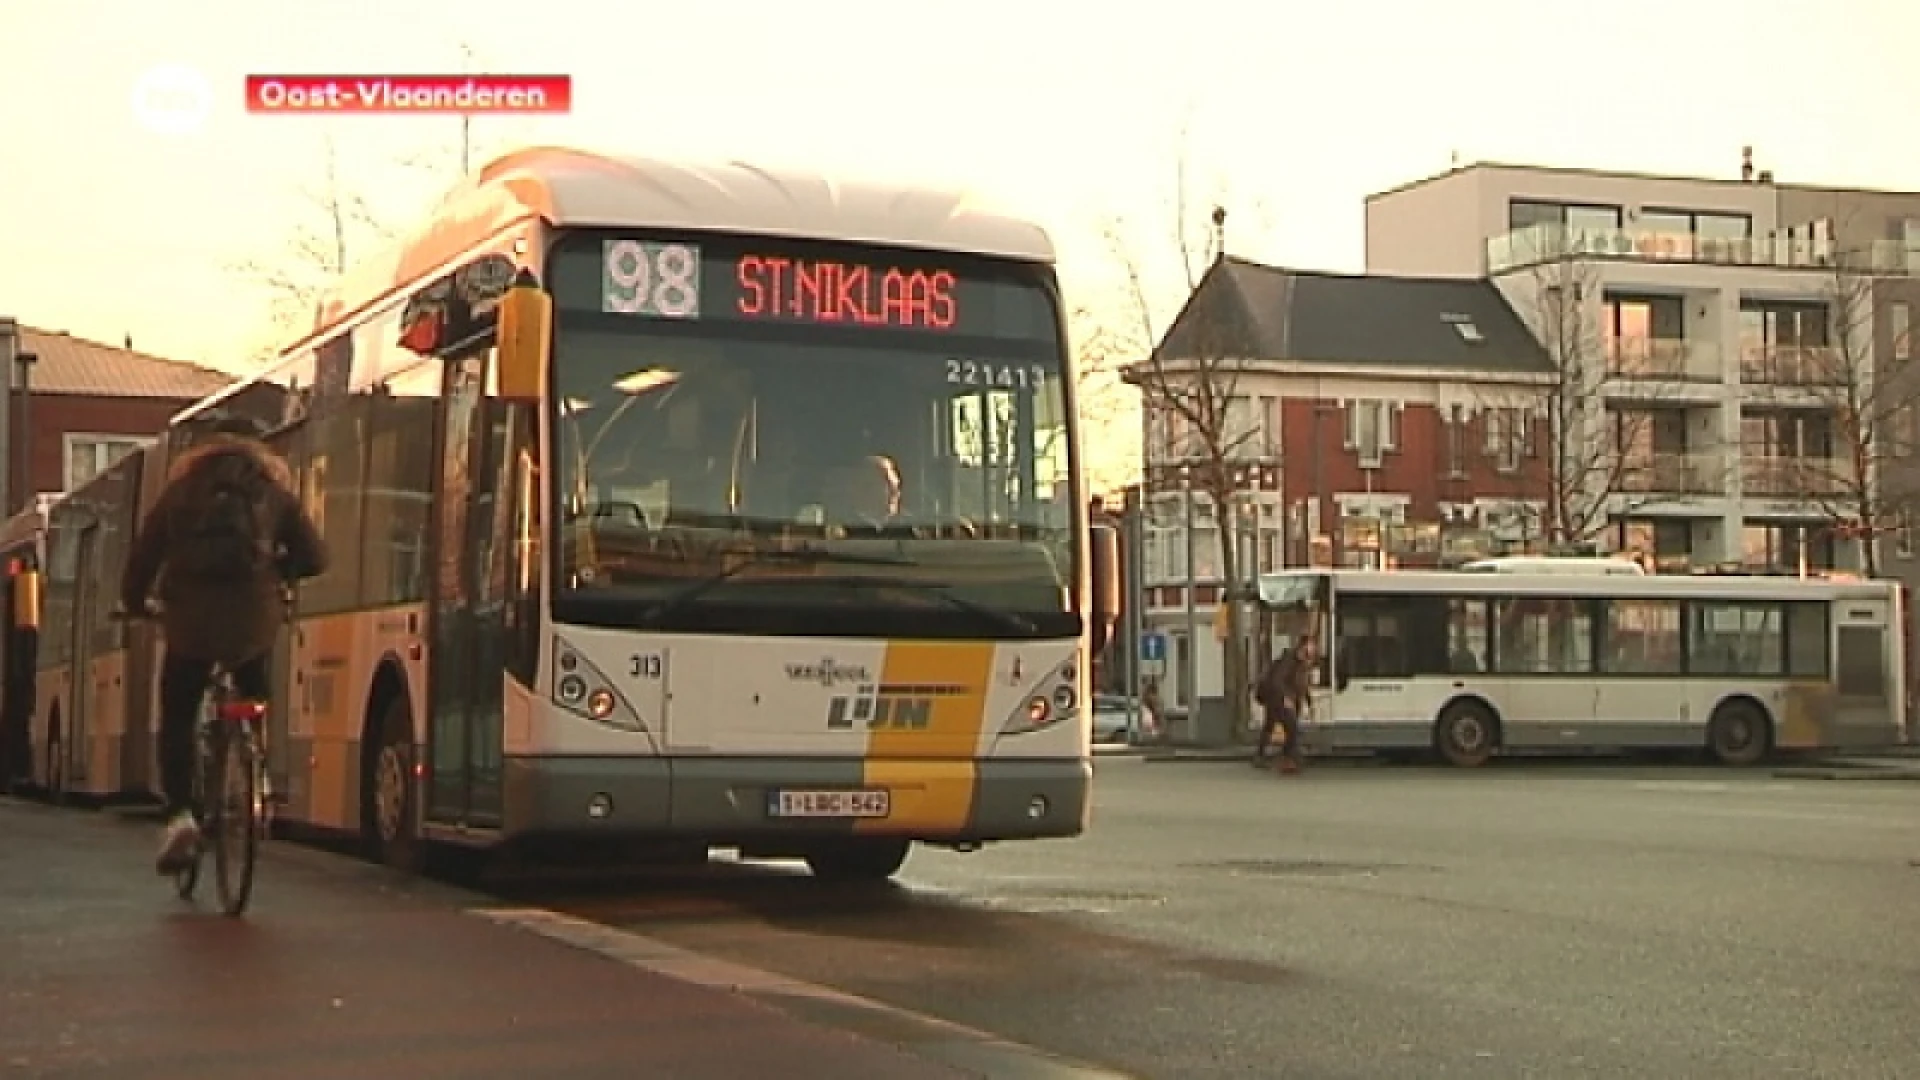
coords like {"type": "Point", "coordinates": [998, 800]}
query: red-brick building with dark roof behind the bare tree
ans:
{"type": "Point", "coordinates": [1368, 422]}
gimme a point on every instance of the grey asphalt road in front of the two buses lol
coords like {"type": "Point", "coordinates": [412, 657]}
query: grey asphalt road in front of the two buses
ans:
{"type": "Point", "coordinates": [1378, 923]}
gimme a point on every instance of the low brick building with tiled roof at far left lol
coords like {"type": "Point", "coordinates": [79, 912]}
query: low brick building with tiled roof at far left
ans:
{"type": "Point", "coordinates": [85, 405]}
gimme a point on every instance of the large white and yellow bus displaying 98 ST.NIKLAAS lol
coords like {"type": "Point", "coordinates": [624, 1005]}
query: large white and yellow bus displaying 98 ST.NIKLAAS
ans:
{"type": "Point", "coordinates": [702, 506]}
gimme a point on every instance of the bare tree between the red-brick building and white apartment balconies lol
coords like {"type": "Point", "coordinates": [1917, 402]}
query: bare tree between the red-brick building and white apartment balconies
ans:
{"type": "Point", "coordinates": [1583, 445]}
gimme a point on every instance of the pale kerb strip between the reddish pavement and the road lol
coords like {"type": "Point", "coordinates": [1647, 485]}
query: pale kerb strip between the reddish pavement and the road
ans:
{"type": "Point", "coordinates": [650, 954]}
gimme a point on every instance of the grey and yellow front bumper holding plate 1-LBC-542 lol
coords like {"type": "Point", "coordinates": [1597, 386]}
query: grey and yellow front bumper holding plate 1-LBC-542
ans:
{"type": "Point", "coordinates": [727, 800]}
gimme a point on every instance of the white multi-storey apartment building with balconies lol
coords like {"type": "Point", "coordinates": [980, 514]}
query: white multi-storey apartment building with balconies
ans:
{"type": "Point", "coordinates": [1717, 326]}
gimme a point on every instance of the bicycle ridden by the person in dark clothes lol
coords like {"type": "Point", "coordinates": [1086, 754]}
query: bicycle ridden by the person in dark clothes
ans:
{"type": "Point", "coordinates": [229, 758]}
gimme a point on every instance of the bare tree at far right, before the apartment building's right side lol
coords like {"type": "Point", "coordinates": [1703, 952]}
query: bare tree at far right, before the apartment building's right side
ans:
{"type": "Point", "coordinates": [1863, 487]}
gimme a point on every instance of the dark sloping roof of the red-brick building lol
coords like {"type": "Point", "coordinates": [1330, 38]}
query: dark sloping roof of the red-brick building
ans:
{"type": "Point", "coordinates": [1362, 320]}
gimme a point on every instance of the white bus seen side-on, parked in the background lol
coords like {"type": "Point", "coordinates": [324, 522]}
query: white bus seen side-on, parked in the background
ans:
{"type": "Point", "coordinates": [1476, 664]}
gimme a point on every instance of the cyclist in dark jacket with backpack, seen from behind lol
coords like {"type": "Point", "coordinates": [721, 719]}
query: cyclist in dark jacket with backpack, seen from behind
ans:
{"type": "Point", "coordinates": [222, 543]}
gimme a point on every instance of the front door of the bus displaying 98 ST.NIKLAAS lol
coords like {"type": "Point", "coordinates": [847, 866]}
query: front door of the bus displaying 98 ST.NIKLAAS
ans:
{"type": "Point", "coordinates": [468, 608]}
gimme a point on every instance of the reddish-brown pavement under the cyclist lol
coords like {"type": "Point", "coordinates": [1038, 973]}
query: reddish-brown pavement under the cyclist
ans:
{"type": "Point", "coordinates": [345, 971]}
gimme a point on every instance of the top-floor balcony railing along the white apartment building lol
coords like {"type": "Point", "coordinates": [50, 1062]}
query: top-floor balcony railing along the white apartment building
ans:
{"type": "Point", "coordinates": [1547, 243]}
